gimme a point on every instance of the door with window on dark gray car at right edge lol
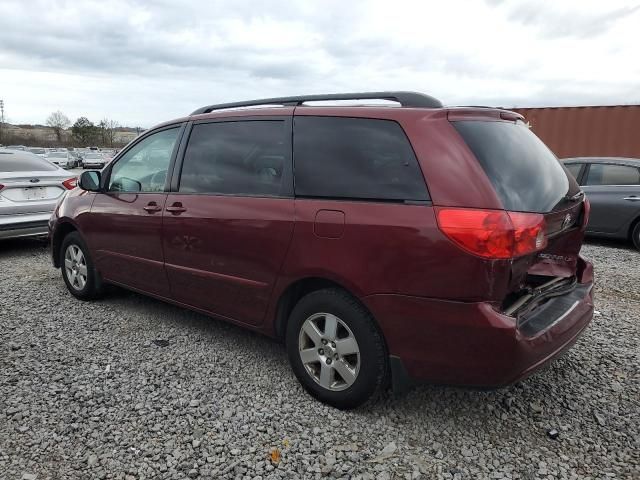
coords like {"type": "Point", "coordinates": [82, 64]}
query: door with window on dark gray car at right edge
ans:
{"type": "Point", "coordinates": [614, 193]}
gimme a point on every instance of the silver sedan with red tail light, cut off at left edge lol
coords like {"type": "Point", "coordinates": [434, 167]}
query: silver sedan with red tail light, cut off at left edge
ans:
{"type": "Point", "coordinates": [30, 187]}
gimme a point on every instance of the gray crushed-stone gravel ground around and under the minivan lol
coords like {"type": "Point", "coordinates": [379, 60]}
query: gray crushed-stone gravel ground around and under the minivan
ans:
{"type": "Point", "coordinates": [88, 391]}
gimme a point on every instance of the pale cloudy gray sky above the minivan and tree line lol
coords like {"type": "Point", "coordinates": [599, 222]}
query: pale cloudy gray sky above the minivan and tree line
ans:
{"type": "Point", "coordinates": [143, 62]}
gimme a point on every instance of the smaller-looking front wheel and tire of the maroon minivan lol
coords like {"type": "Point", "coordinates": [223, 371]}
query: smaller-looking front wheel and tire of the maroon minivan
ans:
{"type": "Point", "coordinates": [85, 287]}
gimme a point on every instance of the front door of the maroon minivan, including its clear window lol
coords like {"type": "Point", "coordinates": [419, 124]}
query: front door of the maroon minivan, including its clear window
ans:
{"type": "Point", "coordinates": [125, 231]}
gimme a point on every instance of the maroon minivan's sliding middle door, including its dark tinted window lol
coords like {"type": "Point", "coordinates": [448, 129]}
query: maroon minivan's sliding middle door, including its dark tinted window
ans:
{"type": "Point", "coordinates": [228, 224]}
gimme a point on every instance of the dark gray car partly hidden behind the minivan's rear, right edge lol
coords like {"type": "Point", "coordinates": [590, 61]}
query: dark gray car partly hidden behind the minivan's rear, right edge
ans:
{"type": "Point", "coordinates": [613, 187]}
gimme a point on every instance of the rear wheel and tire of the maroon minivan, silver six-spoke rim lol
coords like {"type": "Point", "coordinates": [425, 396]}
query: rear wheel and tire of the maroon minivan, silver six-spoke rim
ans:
{"type": "Point", "coordinates": [333, 373]}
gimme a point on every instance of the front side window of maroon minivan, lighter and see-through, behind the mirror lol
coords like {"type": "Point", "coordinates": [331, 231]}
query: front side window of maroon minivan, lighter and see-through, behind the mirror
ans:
{"type": "Point", "coordinates": [144, 167]}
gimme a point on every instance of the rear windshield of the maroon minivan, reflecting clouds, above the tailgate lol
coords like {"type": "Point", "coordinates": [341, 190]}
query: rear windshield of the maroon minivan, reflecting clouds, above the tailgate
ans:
{"type": "Point", "coordinates": [527, 176]}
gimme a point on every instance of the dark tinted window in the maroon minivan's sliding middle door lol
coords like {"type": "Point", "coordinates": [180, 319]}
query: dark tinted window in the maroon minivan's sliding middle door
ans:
{"type": "Point", "coordinates": [249, 157]}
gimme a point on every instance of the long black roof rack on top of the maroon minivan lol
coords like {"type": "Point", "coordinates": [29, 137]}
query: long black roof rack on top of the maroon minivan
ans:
{"type": "Point", "coordinates": [405, 99]}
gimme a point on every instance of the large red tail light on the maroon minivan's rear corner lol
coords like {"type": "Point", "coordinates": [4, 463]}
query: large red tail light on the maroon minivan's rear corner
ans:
{"type": "Point", "coordinates": [493, 233]}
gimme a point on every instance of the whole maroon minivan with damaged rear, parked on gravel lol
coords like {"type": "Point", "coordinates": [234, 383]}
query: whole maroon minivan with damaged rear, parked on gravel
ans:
{"type": "Point", "coordinates": [383, 243]}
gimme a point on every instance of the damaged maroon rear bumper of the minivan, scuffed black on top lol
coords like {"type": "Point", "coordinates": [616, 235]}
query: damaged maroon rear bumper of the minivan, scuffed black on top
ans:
{"type": "Point", "coordinates": [473, 344]}
